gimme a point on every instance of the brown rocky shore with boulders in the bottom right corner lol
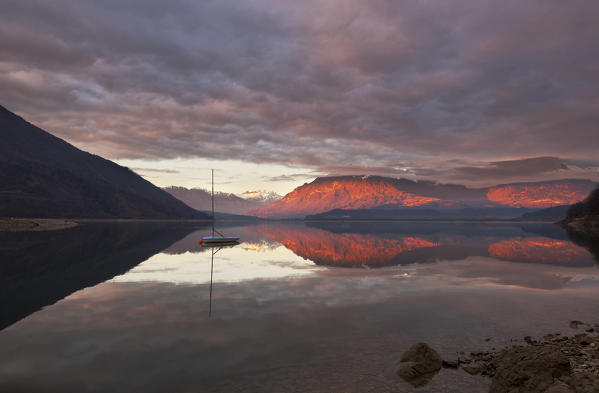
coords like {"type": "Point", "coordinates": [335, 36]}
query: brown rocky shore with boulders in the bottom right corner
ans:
{"type": "Point", "coordinates": [553, 364]}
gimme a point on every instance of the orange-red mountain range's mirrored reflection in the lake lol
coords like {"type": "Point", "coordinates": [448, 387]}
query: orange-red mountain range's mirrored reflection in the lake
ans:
{"type": "Point", "coordinates": [351, 246]}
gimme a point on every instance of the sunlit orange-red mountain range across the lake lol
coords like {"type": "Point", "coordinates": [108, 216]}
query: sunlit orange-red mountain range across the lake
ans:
{"type": "Point", "coordinates": [368, 193]}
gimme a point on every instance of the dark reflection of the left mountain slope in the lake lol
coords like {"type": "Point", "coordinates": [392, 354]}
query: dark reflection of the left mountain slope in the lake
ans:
{"type": "Point", "coordinates": [40, 268]}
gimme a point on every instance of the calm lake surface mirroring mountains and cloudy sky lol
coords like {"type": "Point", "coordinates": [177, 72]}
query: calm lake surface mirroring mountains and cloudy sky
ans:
{"type": "Point", "coordinates": [316, 307]}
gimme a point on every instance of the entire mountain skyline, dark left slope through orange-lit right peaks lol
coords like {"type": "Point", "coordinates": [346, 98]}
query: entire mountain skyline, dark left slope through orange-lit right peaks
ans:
{"type": "Point", "coordinates": [44, 176]}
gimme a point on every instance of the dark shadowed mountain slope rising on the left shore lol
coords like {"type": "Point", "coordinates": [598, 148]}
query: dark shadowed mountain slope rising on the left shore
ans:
{"type": "Point", "coordinates": [44, 176]}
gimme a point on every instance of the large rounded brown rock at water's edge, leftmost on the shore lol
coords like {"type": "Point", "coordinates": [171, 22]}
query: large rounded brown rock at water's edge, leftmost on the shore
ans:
{"type": "Point", "coordinates": [419, 364]}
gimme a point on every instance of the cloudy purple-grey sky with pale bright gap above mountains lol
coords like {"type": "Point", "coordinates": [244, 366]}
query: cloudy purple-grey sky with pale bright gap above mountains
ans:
{"type": "Point", "coordinates": [275, 93]}
